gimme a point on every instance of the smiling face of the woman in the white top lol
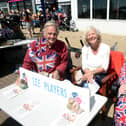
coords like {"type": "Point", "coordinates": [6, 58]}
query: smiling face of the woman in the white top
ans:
{"type": "Point", "coordinates": [92, 37]}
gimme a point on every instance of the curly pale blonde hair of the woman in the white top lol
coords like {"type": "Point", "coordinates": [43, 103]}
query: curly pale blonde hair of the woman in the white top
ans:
{"type": "Point", "coordinates": [96, 31]}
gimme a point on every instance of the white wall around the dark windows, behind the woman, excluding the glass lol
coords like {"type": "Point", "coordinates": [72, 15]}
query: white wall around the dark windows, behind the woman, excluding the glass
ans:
{"type": "Point", "coordinates": [117, 27]}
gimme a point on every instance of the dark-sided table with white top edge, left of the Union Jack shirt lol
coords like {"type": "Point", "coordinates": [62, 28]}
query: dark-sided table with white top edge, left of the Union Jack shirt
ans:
{"type": "Point", "coordinates": [16, 51]}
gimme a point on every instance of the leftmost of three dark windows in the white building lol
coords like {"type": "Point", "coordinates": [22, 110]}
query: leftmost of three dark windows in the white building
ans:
{"type": "Point", "coordinates": [83, 8]}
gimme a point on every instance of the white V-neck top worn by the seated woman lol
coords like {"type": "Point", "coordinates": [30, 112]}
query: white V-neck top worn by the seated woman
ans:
{"type": "Point", "coordinates": [93, 61]}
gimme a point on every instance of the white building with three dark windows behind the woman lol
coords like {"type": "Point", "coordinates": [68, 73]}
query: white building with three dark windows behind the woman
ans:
{"type": "Point", "coordinates": [109, 16]}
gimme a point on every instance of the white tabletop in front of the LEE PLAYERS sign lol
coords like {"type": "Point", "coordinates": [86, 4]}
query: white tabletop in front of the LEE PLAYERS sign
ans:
{"type": "Point", "coordinates": [12, 105]}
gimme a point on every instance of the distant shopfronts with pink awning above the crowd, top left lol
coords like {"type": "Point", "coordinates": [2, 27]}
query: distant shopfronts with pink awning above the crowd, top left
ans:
{"type": "Point", "coordinates": [33, 5]}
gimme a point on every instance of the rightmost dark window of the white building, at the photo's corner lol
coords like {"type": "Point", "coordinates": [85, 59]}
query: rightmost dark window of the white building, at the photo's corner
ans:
{"type": "Point", "coordinates": [117, 9]}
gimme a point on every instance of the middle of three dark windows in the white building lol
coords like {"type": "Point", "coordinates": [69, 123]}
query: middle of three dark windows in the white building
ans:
{"type": "Point", "coordinates": [100, 9]}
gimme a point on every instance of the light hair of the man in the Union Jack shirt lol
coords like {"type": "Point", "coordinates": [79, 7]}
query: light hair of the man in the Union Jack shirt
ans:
{"type": "Point", "coordinates": [50, 23]}
